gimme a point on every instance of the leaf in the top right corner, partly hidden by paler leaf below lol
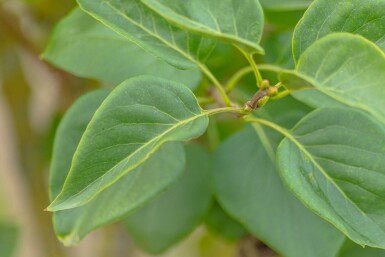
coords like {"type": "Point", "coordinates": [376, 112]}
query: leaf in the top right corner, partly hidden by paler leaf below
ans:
{"type": "Point", "coordinates": [363, 17]}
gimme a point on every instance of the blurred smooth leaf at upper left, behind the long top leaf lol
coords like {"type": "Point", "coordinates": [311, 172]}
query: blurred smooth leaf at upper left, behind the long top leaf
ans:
{"type": "Point", "coordinates": [85, 47]}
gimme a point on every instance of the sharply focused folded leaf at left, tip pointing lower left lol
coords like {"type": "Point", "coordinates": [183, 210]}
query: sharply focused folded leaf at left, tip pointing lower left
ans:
{"type": "Point", "coordinates": [132, 123]}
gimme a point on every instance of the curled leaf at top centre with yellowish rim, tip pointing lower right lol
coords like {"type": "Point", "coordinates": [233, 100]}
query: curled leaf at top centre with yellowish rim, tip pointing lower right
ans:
{"type": "Point", "coordinates": [239, 23]}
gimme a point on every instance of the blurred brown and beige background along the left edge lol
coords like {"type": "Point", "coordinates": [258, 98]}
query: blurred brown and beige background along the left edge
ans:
{"type": "Point", "coordinates": [33, 97]}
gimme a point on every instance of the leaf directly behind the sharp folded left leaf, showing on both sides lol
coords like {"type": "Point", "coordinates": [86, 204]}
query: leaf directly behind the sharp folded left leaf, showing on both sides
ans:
{"type": "Point", "coordinates": [135, 188]}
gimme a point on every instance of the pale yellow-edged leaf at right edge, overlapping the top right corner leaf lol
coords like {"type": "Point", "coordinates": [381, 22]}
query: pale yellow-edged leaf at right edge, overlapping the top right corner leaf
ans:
{"type": "Point", "coordinates": [347, 68]}
